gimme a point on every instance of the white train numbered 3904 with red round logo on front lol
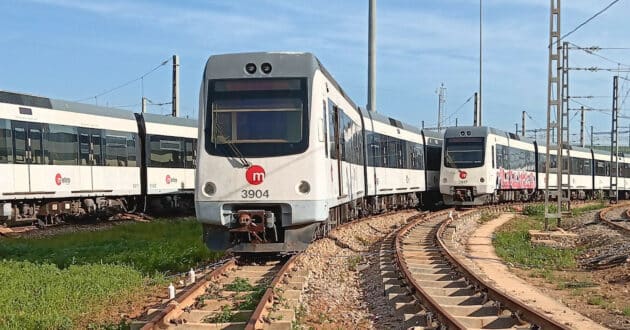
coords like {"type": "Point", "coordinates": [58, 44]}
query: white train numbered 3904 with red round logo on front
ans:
{"type": "Point", "coordinates": [284, 154]}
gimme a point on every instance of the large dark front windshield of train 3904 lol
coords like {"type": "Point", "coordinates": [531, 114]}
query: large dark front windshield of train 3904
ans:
{"type": "Point", "coordinates": [257, 117]}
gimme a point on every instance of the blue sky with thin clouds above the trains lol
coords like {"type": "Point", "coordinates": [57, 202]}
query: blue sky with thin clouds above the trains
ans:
{"type": "Point", "coordinates": [73, 50]}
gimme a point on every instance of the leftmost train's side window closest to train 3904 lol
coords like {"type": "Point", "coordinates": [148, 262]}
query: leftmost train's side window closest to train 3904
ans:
{"type": "Point", "coordinates": [166, 151]}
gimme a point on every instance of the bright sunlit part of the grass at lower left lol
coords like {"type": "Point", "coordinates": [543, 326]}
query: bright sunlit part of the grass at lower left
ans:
{"type": "Point", "coordinates": [42, 296]}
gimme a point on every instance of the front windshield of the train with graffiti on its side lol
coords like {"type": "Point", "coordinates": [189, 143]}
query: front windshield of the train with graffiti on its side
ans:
{"type": "Point", "coordinates": [464, 152]}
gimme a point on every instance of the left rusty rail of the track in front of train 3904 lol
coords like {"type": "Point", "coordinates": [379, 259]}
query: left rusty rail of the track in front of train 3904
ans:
{"type": "Point", "coordinates": [176, 306]}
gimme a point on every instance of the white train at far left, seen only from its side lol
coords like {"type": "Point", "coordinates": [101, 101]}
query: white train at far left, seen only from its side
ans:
{"type": "Point", "coordinates": [61, 158]}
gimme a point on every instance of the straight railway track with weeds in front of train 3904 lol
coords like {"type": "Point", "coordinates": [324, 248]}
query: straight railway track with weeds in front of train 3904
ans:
{"type": "Point", "coordinates": [236, 295]}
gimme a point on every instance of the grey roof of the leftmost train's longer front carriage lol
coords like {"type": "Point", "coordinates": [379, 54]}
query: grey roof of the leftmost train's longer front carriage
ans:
{"type": "Point", "coordinates": [47, 103]}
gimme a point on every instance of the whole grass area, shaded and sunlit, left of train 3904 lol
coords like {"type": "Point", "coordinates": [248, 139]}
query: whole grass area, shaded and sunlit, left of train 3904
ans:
{"type": "Point", "coordinates": [82, 279]}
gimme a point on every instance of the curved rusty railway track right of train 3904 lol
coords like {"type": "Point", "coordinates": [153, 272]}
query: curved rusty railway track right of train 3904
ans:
{"type": "Point", "coordinates": [429, 287]}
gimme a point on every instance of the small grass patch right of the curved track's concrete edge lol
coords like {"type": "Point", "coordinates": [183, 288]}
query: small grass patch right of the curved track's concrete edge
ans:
{"type": "Point", "coordinates": [512, 243]}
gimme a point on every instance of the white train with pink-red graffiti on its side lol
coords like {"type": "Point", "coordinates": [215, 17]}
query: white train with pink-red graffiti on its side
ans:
{"type": "Point", "coordinates": [484, 165]}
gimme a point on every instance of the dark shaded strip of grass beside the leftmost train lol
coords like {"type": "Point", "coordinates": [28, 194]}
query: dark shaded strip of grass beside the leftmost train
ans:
{"type": "Point", "coordinates": [158, 246]}
